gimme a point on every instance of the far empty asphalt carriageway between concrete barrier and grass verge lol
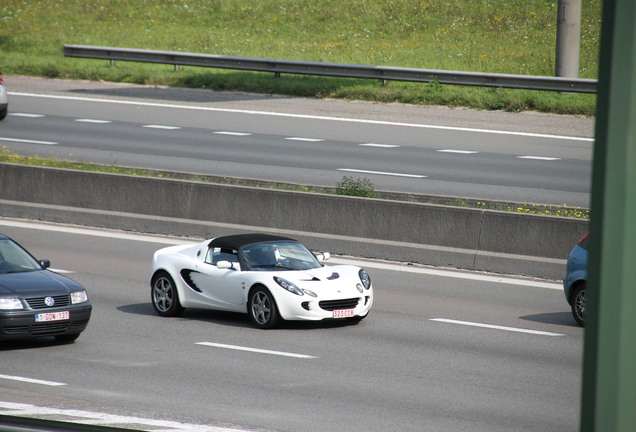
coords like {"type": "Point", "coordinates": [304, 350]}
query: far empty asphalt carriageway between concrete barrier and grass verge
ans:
{"type": "Point", "coordinates": [516, 157]}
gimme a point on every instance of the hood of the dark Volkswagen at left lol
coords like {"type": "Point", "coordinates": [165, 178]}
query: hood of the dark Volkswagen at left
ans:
{"type": "Point", "coordinates": [39, 282]}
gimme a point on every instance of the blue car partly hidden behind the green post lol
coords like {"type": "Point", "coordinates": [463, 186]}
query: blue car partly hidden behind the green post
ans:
{"type": "Point", "coordinates": [576, 279]}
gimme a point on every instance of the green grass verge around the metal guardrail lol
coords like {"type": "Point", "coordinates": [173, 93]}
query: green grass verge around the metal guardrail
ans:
{"type": "Point", "coordinates": [495, 36]}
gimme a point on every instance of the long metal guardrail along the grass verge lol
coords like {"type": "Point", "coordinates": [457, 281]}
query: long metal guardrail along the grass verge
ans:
{"type": "Point", "coordinates": [383, 73]}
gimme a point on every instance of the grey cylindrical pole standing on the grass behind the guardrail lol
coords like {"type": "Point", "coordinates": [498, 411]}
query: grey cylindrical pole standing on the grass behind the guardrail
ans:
{"type": "Point", "coordinates": [568, 38]}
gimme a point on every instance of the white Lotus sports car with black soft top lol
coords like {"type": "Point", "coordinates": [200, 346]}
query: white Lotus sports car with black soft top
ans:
{"type": "Point", "coordinates": [268, 277]}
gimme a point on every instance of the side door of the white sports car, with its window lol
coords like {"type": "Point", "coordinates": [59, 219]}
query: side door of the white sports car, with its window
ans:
{"type": "Point", "coordinates": [223, 286]}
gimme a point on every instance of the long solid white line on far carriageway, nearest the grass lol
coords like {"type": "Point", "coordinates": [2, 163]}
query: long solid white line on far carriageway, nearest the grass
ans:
{"type": "Point", "coordinates": [303, 116]}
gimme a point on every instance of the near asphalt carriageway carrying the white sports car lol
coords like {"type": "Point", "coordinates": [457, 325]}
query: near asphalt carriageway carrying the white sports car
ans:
{"type": "Point", "coordinates": [440, 351]}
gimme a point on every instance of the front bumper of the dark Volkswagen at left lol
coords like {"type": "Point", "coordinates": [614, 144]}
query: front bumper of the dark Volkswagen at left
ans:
{"type": "Point", "coordinates": [21, 324]}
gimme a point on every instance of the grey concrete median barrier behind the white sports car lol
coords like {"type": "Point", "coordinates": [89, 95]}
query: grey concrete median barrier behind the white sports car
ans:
{"type": "Point", "coordinates": [436, 235]}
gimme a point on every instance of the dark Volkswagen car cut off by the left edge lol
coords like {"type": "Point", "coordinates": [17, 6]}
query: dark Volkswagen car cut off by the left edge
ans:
{"type": "Point", "coordinates": [35, 301]}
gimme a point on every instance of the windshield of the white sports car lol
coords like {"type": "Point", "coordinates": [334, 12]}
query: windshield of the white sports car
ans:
{"type": "Point", "coordinates": [279, 256]}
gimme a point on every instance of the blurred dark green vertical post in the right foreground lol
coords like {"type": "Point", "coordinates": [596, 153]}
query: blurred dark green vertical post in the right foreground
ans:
{"type": "Point", "coordinates": [609, 364]}
